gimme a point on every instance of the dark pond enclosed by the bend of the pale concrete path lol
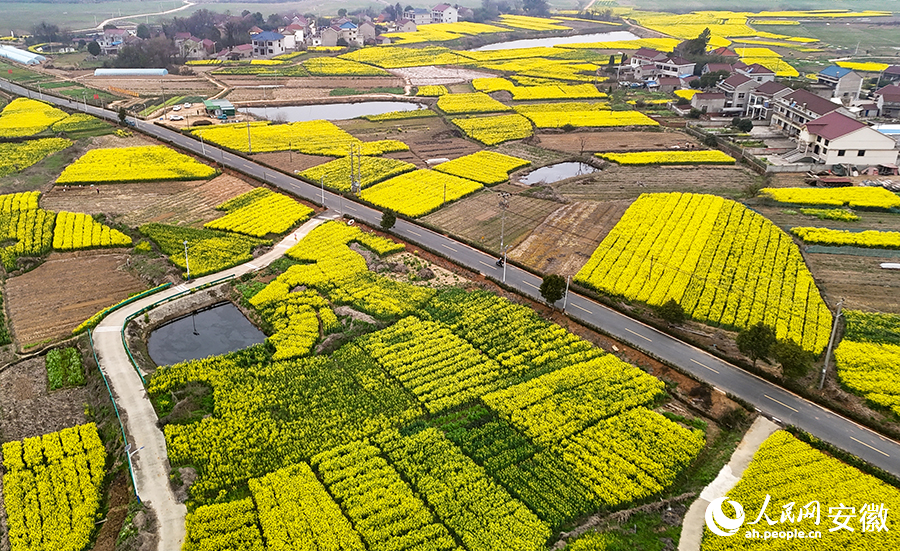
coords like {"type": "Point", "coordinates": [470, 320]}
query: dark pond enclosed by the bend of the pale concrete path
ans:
{"type": "Point", "coordinates": [220, 329]}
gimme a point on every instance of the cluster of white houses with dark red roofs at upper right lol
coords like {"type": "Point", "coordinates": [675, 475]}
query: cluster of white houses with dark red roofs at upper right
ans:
{"type": "Point", "coordinates": [823, 118]}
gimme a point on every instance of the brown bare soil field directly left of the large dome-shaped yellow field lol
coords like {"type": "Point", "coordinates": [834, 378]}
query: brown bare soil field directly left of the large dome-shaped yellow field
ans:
{"type": "Point", "coordinates": [565, 240]}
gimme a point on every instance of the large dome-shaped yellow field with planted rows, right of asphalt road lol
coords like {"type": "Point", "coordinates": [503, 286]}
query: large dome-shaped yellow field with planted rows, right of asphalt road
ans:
{"type": "Point", "coordinates": [725, 265]}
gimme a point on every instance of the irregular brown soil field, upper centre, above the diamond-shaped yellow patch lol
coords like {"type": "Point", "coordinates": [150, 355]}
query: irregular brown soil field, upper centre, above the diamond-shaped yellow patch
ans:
{"type": "Point", "coordinates": [427, 138]}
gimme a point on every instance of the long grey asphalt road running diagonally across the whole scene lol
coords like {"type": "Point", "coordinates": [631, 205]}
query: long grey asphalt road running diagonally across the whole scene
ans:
{"type": "Point", "coordinates": [768, 398]}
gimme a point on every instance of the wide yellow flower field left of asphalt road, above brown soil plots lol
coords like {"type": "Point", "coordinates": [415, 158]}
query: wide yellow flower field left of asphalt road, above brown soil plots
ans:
{"type": "Point", "coordinates": [134, 164]}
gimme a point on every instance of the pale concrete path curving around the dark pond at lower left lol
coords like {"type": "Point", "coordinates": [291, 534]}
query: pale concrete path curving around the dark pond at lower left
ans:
{"type": "Point", "coordinates": [151, 463]}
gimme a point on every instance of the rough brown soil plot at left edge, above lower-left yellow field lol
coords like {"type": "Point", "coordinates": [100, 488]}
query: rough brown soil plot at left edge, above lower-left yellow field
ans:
{"type": "Point", "coordinates": [28, 409]}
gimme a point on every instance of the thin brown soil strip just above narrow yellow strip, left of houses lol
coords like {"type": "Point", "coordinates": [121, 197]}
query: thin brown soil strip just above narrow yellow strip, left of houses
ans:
{"type": "Point", "coordinates": [578, 142]}
